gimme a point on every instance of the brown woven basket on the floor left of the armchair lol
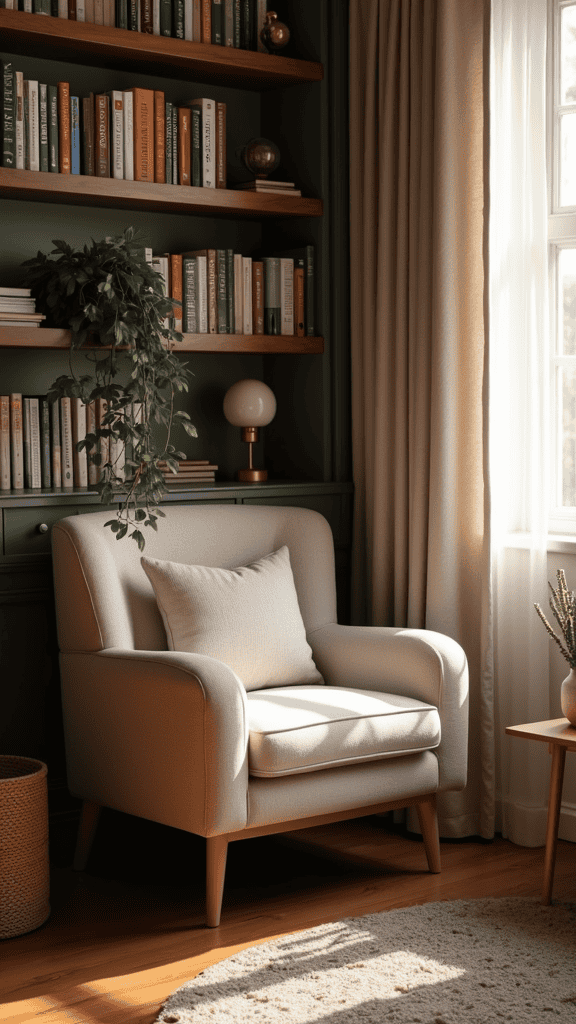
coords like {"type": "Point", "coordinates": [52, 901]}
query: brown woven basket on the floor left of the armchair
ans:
{"type": "Point", "coordinates": [24, 846]}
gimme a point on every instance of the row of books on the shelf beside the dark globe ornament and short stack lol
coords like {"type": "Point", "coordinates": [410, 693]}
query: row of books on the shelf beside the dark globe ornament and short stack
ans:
{"type": "Point", "coordinates": [133, 135]}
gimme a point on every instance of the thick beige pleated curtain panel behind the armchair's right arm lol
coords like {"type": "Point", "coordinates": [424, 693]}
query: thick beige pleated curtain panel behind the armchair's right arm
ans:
{"type": "Point", "coordinates": [419, 227]}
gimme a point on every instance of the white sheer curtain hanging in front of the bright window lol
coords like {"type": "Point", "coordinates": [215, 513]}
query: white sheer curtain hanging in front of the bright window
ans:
{"type": "Point", "coordinates": [519, 400]}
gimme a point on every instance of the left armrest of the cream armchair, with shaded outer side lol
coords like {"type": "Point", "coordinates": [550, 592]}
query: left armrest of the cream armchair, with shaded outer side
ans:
{"type": "Point", "coordinates": [159, 735]}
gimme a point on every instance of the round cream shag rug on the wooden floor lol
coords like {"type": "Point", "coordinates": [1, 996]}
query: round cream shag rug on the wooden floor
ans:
{"type": "Point", "coordinates": [467, 962]}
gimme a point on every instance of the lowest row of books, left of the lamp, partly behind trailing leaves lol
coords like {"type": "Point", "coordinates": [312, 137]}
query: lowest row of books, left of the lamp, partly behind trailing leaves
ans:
{"type": "Point", "coordinates": [38, 443]}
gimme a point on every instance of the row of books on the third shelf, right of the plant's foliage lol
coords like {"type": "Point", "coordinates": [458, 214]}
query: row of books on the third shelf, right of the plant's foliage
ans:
{"type": "Point", "coordinates": [224, 292]}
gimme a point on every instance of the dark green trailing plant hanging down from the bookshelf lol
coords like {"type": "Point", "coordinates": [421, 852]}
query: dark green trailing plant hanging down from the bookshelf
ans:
{"type": "Point", "coordinates": [114, 305]}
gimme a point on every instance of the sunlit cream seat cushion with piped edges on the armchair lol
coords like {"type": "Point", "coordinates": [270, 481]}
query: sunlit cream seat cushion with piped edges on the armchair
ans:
{"type": "Point", "coordinates": [297, 730]}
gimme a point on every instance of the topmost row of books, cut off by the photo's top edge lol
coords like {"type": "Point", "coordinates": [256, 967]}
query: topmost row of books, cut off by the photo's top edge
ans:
{"type": "Point", "coordinates": [222, 23]}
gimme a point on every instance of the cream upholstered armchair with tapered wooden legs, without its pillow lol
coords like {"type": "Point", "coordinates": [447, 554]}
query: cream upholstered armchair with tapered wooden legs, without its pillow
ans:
{"type": "Point", "coordinates": [180, 738]}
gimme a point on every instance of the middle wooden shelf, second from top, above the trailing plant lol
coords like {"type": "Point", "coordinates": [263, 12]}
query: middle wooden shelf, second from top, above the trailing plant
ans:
{"type": "Point", "coordinates": [83, 190]}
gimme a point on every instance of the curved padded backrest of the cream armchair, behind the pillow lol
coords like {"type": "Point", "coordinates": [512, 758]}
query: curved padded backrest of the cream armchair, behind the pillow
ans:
{"type": "Point", "coordinates": [105, 600]}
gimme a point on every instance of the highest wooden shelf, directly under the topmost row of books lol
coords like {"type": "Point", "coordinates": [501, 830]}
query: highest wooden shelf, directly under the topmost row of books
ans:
{"type": "Point", "coordinates": [78, 42]}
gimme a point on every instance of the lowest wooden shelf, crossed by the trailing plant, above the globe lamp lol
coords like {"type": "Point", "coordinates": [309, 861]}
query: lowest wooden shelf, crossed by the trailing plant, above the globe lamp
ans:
{"type": "Point", "coordinates": [52, 338]}
